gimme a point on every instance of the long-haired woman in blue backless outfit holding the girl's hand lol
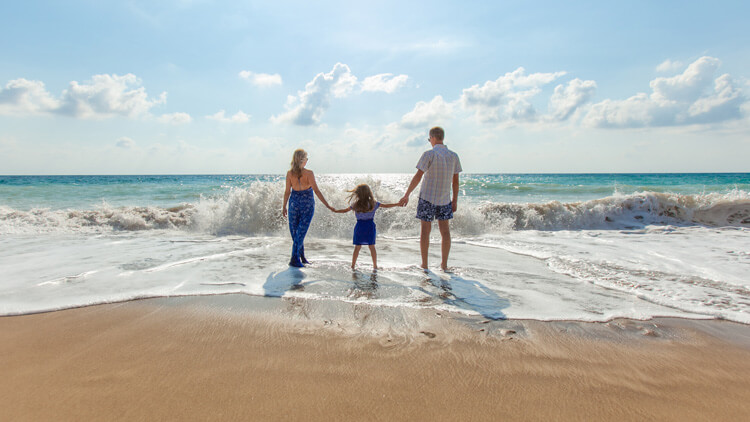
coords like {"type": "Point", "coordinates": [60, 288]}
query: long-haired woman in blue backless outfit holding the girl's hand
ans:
{"type": "Point", "coordinates": [300, 185]}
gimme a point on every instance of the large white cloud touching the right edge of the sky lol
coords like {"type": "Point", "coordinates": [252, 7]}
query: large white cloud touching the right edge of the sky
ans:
{"type": "Point", "coordinates": [686, 98]}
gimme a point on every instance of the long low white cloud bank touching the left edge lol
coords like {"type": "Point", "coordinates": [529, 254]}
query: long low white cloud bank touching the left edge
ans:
{"type": "Point", "coordinates": [102, 97]}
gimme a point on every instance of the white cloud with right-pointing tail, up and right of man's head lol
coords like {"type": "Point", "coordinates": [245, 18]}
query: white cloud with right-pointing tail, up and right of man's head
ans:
{"type": "Point", "coordinates": [508, 98]}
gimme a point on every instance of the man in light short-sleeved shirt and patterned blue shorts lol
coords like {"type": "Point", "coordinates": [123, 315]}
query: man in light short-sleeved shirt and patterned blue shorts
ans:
{"type": "Point", "coordinates": [440, 167]}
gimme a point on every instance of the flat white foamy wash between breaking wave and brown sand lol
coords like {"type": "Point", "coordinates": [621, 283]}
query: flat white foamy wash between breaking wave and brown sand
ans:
{"type": "Point", "coordinates": [525, 275]}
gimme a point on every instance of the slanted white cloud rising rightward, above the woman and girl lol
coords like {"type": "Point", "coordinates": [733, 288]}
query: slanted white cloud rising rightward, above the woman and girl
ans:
{"type": "Point", "coordinates": [308, 106]}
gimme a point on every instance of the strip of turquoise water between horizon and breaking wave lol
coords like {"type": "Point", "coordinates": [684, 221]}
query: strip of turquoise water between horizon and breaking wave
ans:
{"type": "Point", "coordinates": [84, 192]}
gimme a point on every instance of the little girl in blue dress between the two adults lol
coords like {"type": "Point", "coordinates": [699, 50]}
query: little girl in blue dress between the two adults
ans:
{"type": "Point", "coordinates": [364, 207]}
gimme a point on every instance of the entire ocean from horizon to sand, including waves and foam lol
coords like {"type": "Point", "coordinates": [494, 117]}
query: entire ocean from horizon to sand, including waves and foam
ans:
{"type": "Point", "coordinates": [587, 247]}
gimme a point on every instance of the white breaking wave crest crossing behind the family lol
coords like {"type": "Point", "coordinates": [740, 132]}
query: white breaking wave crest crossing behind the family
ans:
{"type": "Point", "coordinates": [256, 210]}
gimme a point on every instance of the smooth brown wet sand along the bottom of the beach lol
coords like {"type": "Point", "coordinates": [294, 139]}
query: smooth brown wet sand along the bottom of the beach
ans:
{"type": "Point", "coordinates": [249, 358]}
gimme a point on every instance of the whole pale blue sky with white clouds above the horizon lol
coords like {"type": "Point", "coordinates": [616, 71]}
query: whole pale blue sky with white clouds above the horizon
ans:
{"type": "Point", "coordinates": [234, 87]}
